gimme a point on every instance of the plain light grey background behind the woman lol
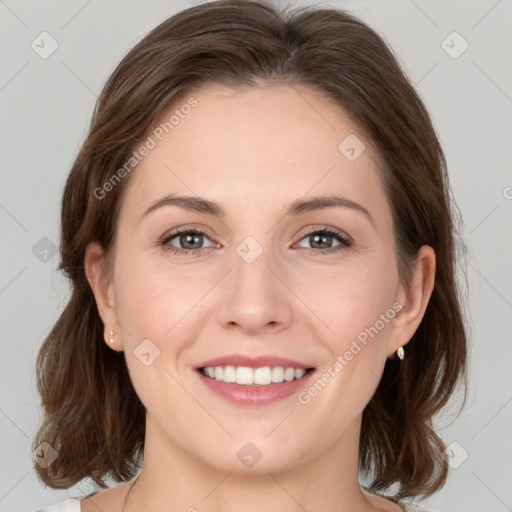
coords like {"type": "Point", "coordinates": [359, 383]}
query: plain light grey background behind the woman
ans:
{"type": "Point", "coordinates": [46, 105]}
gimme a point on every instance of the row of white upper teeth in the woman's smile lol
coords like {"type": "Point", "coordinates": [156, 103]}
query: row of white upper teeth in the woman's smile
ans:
{"type": "Point", "coordinates": [249, 376]}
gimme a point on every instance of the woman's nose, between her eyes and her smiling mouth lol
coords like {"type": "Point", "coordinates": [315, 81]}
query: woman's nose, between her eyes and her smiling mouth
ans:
{"type": "Point", "coordinates": [254, 297]}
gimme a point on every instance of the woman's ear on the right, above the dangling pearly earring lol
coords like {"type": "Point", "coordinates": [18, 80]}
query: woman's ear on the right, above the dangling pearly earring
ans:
{"type": "Point", "coordinates": [413, 299]}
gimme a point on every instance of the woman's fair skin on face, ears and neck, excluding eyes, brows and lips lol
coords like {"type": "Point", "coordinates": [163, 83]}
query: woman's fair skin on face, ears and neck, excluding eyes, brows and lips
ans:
{"type": "Point", "coordinates": [254, 151]}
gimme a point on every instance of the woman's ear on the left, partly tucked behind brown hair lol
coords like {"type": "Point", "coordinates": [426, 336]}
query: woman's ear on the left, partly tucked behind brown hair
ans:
{"type": "Point", "coordinates": [97, 276]}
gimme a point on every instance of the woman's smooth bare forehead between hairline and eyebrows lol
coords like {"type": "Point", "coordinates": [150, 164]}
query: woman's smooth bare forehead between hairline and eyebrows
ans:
{"type": "Point", "coordinates": [253, 143]}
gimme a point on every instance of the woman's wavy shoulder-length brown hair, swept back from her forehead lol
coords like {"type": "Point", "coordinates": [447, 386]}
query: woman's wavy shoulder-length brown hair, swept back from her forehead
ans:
{"type": "Point", "coordinates": [93, 416]}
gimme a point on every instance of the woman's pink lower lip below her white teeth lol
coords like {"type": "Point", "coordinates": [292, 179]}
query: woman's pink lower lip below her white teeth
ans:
{"type": "Point", "coordinates": [255, 394]}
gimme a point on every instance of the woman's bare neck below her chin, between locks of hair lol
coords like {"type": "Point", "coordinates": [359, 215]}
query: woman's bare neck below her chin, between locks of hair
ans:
{"type": "Point", "coordinates": [171, 479]}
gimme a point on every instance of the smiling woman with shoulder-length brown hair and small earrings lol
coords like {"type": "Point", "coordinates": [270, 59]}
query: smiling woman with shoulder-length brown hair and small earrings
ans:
{"type": "Point", "coordinates": [259, 237]}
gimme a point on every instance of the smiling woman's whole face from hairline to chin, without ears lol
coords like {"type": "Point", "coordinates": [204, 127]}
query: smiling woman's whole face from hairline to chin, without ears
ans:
{"type": "Point", "coordinates": [259, 279]}
